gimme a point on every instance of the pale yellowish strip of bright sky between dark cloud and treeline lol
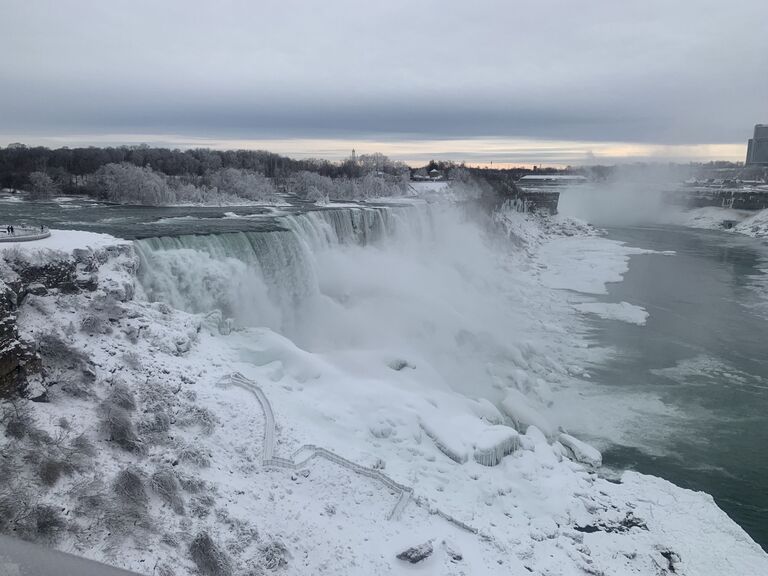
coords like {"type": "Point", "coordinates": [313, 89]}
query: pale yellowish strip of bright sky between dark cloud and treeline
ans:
{"type": "Point", "coordinates": [481, 152]}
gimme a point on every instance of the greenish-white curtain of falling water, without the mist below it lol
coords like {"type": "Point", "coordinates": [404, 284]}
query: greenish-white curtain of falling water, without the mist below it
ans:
{"type": "Point", "coordinates": [266, 278]}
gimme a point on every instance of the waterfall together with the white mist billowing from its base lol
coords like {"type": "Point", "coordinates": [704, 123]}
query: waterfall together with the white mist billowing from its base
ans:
{"type": "Point", "coordinates": [424, 285]}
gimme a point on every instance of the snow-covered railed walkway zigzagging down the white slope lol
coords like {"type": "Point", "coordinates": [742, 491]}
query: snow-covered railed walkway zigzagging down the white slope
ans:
{"type": "Point", "coordinates": [405, 493]}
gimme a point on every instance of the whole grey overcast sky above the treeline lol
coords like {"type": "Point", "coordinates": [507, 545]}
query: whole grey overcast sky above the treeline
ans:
{"type": "Point", "coordinates": [479, 80]}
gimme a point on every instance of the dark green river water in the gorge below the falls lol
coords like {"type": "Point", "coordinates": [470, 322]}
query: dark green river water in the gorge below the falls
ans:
{"type": "Point", "coordinates": [704, 352]}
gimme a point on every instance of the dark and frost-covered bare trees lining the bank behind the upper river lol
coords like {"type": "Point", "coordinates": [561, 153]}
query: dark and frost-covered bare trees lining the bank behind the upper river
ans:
{"type": "Point", "coordinates": [157, 176]}
